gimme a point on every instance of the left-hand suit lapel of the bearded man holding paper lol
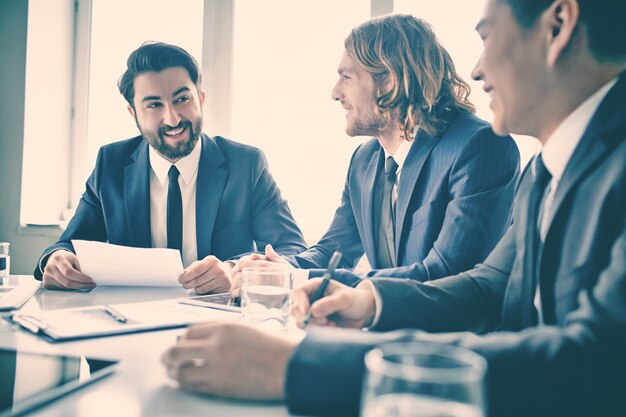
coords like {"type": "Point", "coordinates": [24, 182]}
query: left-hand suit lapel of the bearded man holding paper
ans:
{"type": "Point", "coordinates": [137, 197]}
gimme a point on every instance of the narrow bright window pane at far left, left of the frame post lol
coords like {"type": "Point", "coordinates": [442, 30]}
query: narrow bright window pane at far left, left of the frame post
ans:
{"type": "Point", "coordinates": [47, 125]}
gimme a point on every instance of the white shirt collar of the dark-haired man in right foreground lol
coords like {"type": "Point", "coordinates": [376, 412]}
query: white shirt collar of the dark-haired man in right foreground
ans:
{"type": "Point", "coordinates": [563, 141]}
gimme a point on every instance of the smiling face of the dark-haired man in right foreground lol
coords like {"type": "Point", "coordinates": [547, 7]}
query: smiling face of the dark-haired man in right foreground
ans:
{"type": "Point", "coordinates": [512, 67]}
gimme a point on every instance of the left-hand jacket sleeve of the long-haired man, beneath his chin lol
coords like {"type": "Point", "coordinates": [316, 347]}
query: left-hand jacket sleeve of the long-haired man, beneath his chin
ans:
{"type": "Point", "coordinates": [343, 235]}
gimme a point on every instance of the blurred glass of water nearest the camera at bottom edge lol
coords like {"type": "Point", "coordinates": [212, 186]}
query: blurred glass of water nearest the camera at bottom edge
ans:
{"type": "Point", "coordinates": [419, 379]}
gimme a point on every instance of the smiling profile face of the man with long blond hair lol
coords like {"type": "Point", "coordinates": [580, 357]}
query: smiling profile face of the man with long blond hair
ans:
{"type": "Point", "coordinates": [355, 90]}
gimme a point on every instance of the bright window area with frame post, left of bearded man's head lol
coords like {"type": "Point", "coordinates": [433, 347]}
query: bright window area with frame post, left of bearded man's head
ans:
{"type": "Point", "coordinates": [76, 53]}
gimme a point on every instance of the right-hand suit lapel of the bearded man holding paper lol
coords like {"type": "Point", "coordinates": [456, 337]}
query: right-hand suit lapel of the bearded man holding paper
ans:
{"type": "Point", "coordinates": [209, 188]}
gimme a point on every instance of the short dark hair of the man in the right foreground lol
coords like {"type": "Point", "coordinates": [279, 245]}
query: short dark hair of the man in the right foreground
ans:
{"type": "Point", "coordinates": [602, 19]}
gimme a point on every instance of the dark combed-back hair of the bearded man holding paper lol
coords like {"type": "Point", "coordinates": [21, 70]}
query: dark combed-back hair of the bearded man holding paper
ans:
{"type": "Point", "coordinates": [155, 57]}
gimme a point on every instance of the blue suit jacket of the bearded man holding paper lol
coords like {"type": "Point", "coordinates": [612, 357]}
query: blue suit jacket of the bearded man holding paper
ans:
{"type": "Point", "coordinates": [238, 204]}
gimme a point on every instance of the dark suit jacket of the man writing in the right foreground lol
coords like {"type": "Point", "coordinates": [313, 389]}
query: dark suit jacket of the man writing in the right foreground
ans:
{"type": "Point", "coordinates": [575, 363]}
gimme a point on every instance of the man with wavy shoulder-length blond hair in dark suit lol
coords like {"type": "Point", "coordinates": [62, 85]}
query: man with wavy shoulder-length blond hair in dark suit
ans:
{"type": "Point", "coordinates": [453, 179]}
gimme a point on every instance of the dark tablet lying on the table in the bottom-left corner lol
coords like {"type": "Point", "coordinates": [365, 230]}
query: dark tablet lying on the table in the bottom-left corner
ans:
{"type": "Point", "coordinates": [29, 380]}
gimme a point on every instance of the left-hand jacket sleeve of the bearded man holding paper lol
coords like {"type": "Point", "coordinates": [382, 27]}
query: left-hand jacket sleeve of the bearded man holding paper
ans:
{"type": "Point", "coordinates": [87, 222]}
